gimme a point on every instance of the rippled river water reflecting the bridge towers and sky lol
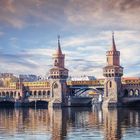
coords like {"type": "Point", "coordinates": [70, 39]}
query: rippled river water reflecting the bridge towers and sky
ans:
{"type": "Point", "coordinates": [70, 124]}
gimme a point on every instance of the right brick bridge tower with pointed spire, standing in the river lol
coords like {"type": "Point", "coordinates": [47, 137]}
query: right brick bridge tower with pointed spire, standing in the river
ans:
{"type": "Point", "coordinates": [112, 73]}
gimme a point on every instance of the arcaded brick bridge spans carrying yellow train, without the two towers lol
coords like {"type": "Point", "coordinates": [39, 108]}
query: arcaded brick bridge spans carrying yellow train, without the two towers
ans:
{"type": "Point", "coordinates": [40, 91]}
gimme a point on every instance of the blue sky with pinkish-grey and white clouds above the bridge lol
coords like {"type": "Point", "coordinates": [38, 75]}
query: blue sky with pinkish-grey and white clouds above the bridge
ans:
{"type": "Point", "coordinates": [29, 30]}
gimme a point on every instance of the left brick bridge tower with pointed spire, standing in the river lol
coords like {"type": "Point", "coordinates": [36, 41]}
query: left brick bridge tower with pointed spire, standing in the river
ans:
{"type": "Point", "coordinates": [57, 77]}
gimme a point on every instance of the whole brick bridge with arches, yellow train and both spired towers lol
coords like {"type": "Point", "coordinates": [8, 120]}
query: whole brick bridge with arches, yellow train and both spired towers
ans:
{"type": "Point", "coordinates": [57, 88]}
